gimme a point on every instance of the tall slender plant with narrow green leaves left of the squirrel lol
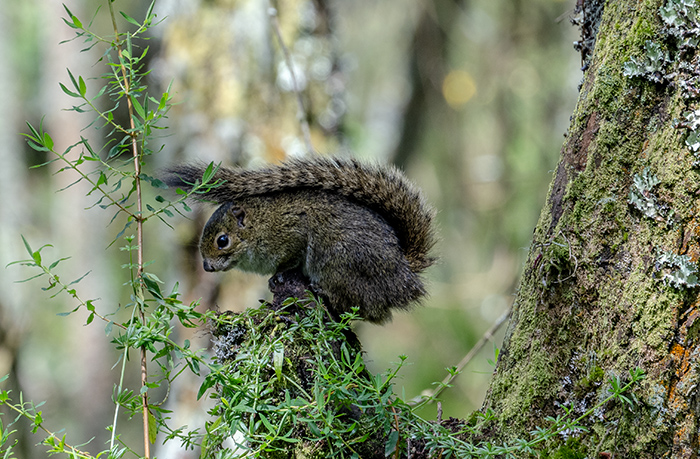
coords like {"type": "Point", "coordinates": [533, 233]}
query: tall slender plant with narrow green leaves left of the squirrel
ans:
{"type": "Point", "coordinates": [114, 173]}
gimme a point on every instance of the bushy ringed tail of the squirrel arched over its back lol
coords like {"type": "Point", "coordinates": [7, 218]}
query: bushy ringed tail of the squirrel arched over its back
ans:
{"type": "Point", "coordinates": [383, 189]}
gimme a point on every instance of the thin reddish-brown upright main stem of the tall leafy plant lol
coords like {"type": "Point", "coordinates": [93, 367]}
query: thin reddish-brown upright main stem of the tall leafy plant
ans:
{"type": "Point", "coordinates": [139, 228]}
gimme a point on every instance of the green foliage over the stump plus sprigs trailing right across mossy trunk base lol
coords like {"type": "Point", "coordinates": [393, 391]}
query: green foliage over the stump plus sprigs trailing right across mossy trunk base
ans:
{"type": "Point", "coordinates": [332, 407]}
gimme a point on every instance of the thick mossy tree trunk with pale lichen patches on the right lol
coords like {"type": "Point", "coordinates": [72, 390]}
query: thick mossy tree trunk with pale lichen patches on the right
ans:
{"type": "Point", "coordinates": [611, 281]}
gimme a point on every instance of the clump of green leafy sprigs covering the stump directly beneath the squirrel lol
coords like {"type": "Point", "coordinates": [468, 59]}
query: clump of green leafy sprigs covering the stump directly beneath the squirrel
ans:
{"type": "Point", "coordinates": [267, 404]}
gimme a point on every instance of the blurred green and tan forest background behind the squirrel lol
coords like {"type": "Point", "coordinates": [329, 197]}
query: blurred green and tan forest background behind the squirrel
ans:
{"type": "Point", "coordinates": [471, 98]}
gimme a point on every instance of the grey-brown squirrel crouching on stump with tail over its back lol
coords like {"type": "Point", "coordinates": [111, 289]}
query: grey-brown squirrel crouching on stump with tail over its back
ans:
{"type": "Point", "coordinates": [360, 233]}
